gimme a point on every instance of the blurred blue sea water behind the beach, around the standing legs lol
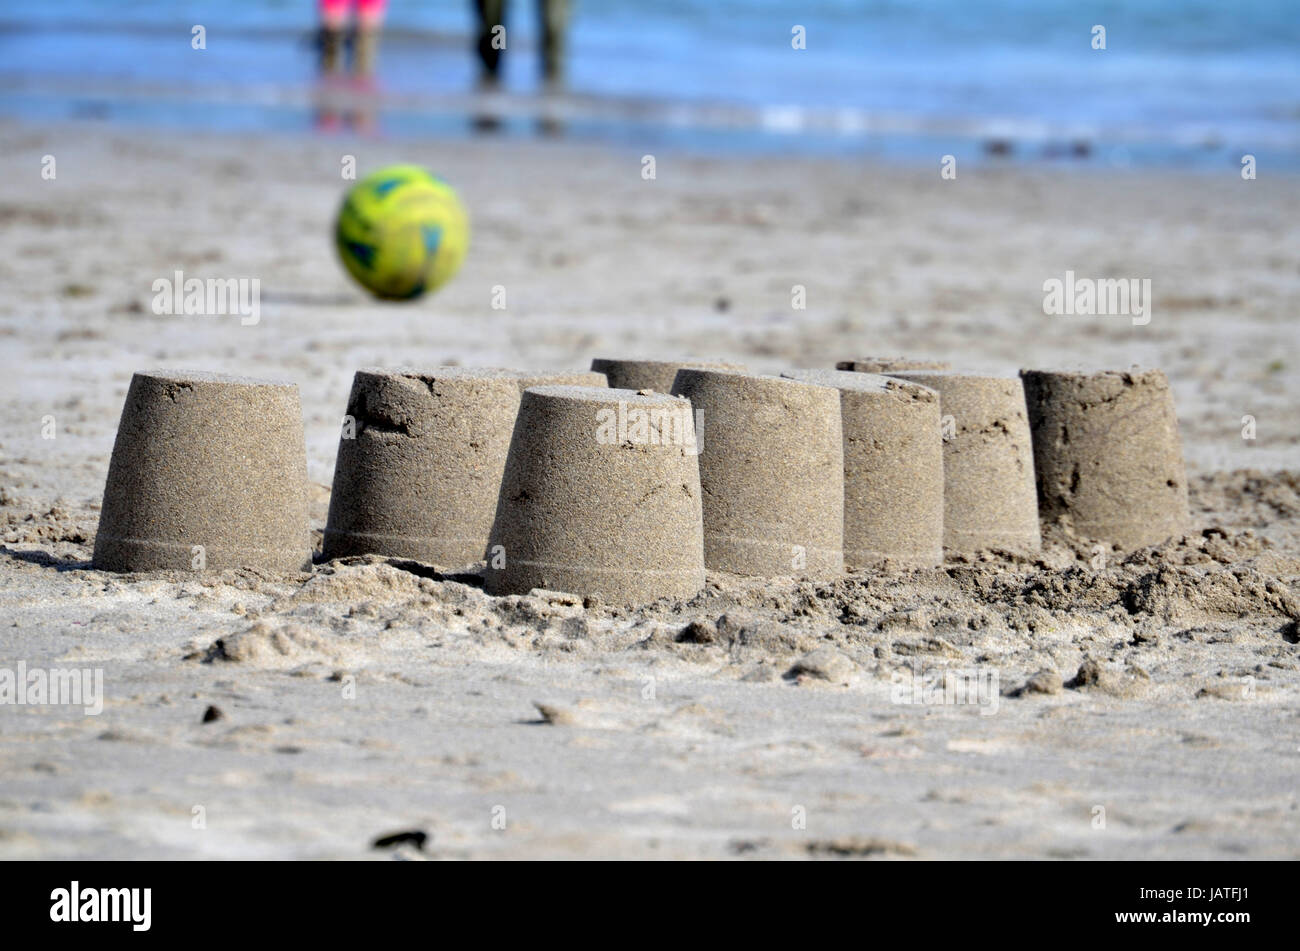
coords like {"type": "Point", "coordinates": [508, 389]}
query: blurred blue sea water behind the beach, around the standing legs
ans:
{"type": "Point", "coordinates": [1191, 82]}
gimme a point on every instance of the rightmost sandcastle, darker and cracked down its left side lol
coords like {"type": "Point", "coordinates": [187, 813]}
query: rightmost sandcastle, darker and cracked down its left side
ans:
{"type": "Point", "coordinates": [1107, 453]}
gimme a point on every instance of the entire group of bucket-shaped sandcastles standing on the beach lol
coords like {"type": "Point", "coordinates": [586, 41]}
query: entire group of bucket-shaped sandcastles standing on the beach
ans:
{"type": "Point", "coordinates": [627, 483]}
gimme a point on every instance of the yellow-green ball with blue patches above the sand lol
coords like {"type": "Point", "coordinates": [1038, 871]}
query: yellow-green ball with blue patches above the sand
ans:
{"type": "Point", "coordinates": [402, 232]}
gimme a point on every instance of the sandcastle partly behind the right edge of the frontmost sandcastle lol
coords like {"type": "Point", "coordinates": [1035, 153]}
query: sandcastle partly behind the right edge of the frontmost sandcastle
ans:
{"type": "Point", "coordinates": [773, 474]}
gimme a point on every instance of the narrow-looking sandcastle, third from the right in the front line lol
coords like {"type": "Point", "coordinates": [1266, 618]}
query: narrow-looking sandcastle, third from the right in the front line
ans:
{"type": "Point", "coordinates": [894, 468]}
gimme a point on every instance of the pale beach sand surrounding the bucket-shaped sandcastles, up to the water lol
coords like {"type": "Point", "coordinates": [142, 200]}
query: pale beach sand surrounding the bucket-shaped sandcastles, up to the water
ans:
{"type": "Point", "coordinates": [375, 697]}
